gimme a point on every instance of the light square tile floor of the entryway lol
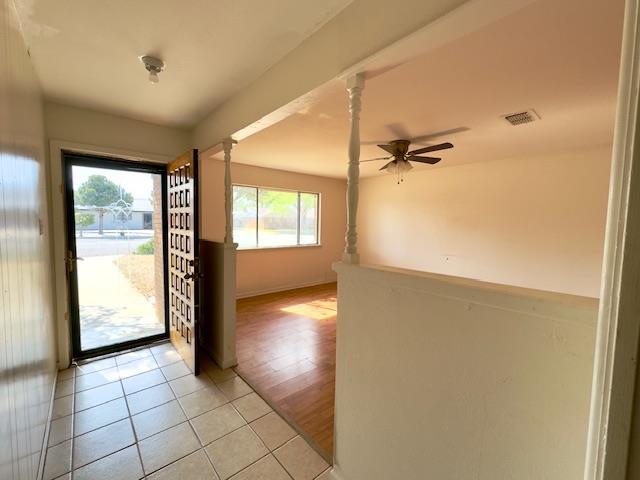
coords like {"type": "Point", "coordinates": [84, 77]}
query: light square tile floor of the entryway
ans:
{"type": "Point", "coordinates": [143, 415]}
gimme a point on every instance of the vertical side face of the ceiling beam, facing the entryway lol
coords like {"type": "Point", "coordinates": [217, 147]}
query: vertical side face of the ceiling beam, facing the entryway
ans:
{"type": "Point", "coordinates": [361, 29]}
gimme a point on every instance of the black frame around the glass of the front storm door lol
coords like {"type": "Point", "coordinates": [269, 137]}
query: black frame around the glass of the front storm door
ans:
{"type": "Point", "coordinates": [69, 160]}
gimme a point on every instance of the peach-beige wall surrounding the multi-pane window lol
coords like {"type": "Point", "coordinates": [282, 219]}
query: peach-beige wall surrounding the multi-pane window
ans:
{"type": "Point", "coordinates": [260, 271]}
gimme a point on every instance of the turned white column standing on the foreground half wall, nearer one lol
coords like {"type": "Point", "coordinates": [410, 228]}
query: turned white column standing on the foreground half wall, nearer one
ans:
{"type": "Point", "coordinates": [355, 85]}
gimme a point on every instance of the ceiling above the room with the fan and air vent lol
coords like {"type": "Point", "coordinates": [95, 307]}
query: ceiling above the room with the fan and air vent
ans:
{"type": "Point", "coordinates": [559, 57]}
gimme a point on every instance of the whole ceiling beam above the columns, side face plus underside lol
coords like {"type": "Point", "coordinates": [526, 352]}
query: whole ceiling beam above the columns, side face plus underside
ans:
{"type": "Point", "coordinates": [368, 35]}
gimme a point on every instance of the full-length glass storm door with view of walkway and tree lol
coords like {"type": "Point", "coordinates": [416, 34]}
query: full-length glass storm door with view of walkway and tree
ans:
{"type": "Point", "coordinates": [116, 254]}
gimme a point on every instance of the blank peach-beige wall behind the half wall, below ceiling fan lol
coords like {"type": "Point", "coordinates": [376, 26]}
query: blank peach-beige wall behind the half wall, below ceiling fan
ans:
{"type": "Point", "coordinates": [533, 222]}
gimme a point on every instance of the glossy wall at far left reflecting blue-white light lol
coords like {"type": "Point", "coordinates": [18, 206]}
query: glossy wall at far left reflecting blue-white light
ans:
{"type": "Point", "coordinates": [27, 347]}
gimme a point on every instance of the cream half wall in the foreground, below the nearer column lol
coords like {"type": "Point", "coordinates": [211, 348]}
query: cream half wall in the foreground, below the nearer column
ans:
{"type": "Point", "coordinates": [457, 379]}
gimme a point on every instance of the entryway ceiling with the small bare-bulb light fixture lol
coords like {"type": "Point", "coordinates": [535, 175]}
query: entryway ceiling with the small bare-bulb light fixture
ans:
{"type": "Point", "coordinates": [86, 52]}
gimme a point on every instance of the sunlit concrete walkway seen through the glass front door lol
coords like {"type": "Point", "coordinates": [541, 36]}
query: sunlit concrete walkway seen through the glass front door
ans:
{"type": "Point", "coordinates": [111, 309]}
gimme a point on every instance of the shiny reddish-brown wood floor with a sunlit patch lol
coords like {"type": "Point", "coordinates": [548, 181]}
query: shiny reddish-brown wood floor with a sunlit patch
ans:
{"type": "Point", "coordinates": [286, 347]}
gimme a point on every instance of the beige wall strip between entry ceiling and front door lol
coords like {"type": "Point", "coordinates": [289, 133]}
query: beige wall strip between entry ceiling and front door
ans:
{"type": "Point", "coordinates": [103, 130]}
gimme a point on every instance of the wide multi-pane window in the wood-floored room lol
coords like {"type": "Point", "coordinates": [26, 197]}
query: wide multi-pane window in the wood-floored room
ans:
{"type": "Point", "coordinates": [265, 217]}
